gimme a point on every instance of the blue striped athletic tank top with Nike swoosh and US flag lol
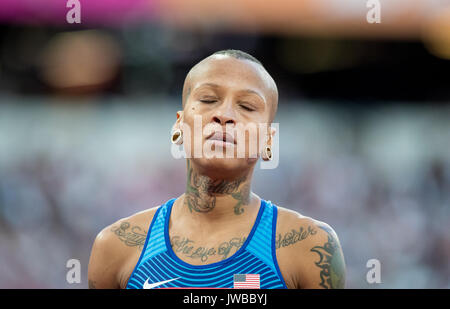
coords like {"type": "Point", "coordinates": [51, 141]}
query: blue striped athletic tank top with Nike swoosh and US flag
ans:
{"type": "Point", "coordinates": [159, 267]}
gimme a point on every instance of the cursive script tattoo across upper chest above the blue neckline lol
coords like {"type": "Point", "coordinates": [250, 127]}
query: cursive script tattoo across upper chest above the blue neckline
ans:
{"type": "Point", "coordinates": [186, 247]}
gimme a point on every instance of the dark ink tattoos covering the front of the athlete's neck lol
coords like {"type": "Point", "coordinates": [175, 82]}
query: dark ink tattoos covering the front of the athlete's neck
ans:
{"type": "Point", "coordinates": [201, 190]}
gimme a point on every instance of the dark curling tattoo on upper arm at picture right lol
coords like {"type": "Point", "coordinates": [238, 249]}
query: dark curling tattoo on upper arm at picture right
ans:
{"type": "Point", "coordinates": [331, 262]}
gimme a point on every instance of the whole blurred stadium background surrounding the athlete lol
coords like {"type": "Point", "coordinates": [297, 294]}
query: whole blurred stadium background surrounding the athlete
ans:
{"type": "Point", "coordinates": [364, 123]}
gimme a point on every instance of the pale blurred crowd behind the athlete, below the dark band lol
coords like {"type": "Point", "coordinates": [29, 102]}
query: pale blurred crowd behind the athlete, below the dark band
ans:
{"type": "Point", "coordinates": [379, 177]}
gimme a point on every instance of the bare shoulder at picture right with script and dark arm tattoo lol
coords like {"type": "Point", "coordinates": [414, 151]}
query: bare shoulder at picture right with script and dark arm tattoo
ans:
{"type": "Point", "coordinates": [309, 251]}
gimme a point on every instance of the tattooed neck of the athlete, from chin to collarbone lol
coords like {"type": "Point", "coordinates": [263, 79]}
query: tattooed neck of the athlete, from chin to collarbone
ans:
{"type": "Point", "coordinates": [210, 198]}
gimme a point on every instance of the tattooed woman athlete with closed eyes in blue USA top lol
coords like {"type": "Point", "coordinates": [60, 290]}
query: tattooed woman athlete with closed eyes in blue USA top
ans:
{"type": "Point", "coordinates": [218, 233]}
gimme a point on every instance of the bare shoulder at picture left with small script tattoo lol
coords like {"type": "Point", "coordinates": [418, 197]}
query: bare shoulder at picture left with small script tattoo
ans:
{"type": "Point", "coordinates": [114, 246]}
